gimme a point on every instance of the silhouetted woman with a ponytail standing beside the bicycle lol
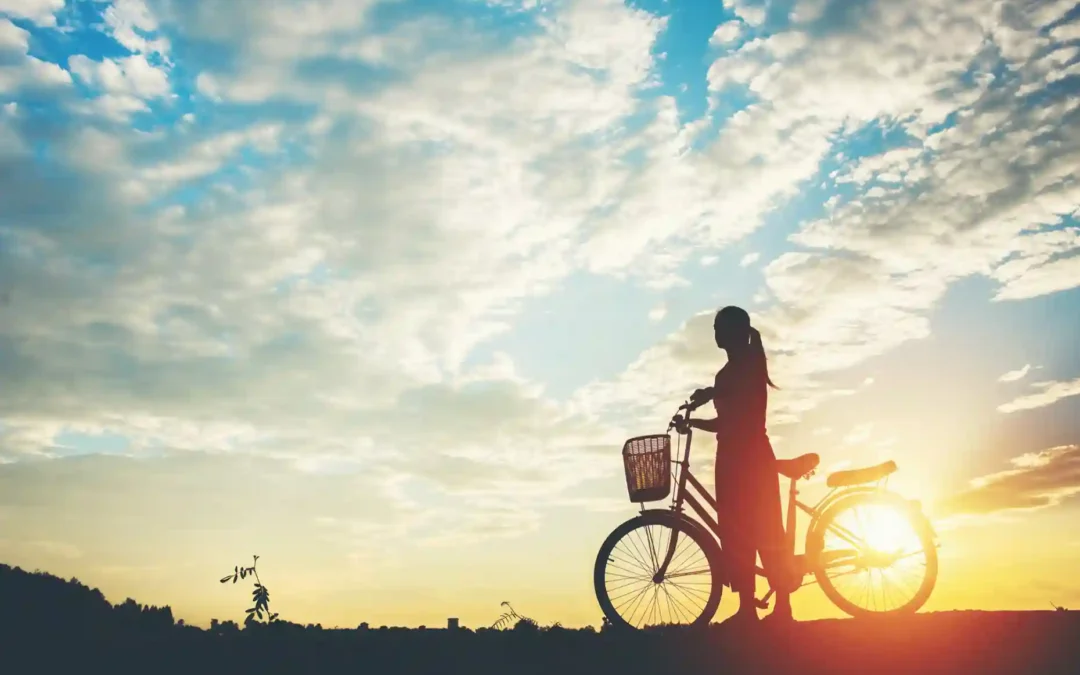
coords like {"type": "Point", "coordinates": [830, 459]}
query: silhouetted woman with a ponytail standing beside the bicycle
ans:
{"type": "Point", "coordinates": [748, 488]}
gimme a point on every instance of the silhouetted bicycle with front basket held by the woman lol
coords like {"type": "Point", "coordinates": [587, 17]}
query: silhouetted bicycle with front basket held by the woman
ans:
{"type": "Point", "coordinates": [682, 577]}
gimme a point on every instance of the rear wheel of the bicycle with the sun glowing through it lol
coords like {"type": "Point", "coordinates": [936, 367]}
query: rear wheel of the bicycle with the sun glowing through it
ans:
{"type": "Point", "coordinates": [873, 555]}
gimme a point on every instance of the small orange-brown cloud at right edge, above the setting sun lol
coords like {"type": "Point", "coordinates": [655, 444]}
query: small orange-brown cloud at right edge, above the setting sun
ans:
{"type": "Point", "coordinates": [1036, 481]}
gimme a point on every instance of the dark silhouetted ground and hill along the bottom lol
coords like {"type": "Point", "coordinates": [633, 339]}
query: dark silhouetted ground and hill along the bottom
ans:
{"type": "Point", "coordinates": [52, 626]}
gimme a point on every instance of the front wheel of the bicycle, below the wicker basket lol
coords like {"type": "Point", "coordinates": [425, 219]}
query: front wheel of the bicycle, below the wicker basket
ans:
{"type": "Point", "coordinates": [658, 570]}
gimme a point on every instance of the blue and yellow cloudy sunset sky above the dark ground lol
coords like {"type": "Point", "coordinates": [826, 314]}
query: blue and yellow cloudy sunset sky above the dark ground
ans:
{"type": "Point", "coordinates": [377, 289]}
